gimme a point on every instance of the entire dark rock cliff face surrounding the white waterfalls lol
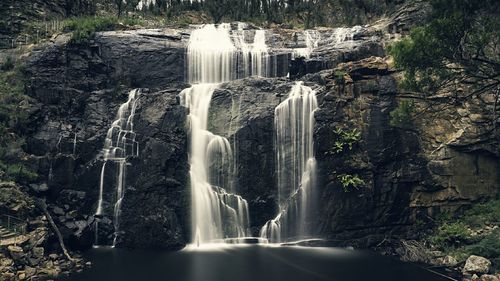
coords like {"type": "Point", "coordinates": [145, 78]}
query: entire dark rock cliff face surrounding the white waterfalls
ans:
{"type": "Point", "coordinates": [440, 163]}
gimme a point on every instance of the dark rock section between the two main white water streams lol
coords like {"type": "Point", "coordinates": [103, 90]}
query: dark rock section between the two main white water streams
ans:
{"type": "Point", "coordinates": [249, 128]}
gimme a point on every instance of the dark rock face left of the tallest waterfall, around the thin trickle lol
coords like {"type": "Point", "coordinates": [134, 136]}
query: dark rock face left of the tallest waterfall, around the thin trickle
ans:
{"type": "Point", "coordinates": [79, 89]}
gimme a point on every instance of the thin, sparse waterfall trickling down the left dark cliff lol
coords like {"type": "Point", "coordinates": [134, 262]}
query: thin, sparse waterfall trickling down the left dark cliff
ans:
{"type": "Point", "coordinates": [119, 144]}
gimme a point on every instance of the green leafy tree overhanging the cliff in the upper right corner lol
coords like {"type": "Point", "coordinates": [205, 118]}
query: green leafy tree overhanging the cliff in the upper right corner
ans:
{"type": "Point", "coordinates": [457, 49]}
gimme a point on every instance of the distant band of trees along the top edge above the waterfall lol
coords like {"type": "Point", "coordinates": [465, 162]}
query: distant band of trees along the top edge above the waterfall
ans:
{"type": "Point", "coordinates": [302, 13]}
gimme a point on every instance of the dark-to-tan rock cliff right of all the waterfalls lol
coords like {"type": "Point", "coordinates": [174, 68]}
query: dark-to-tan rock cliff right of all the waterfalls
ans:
{"type": "Point", "coordinates": [401, 184]}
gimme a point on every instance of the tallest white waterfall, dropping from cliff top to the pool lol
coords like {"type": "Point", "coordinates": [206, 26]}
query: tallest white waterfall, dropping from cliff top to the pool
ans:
{"type": "Point", "coordinates": [218, 212]}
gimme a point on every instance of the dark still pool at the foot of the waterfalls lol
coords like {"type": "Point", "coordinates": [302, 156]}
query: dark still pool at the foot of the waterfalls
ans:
{"type": "Point", "coordinates": [249, 263]}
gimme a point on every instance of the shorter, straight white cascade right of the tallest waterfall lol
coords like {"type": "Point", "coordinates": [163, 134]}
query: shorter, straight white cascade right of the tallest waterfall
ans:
{"type": "Point", "coordinates": [295, 165]}
